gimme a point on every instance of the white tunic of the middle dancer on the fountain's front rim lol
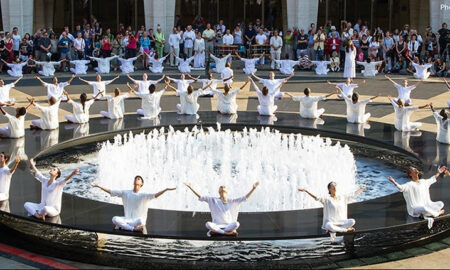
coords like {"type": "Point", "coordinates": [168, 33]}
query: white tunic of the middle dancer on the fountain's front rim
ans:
{"type": "Point", "coordinates": [223, 213]}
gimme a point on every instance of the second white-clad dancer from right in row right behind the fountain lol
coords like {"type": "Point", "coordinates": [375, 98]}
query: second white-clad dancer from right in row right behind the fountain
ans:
{"type": "Point", "coordinates": [403, 114]}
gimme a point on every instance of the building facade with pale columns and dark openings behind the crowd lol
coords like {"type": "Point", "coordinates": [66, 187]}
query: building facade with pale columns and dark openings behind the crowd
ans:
{"type": "Point", "coordinates": [30, 15]}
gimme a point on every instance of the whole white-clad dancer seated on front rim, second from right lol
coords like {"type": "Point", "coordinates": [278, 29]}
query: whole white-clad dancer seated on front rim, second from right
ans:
{"type": "Point", "coordinates": [335, 209]}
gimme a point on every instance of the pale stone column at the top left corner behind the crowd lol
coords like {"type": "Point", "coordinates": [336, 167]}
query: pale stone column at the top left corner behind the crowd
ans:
{"type": "Point", "coordinates": [18, 13]}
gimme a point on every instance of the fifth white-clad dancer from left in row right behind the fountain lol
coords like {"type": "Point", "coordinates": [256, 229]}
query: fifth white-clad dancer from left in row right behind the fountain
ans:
{"type": "Point", "coordinates": [150, 106]}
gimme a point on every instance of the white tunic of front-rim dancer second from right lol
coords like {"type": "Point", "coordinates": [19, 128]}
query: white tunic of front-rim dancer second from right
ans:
{"type": "Point", "coordinates": [335, 210]}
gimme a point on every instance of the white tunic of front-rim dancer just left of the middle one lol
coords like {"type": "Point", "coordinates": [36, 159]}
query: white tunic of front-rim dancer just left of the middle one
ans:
{"type": "Point", "coordinates": [135, 205]}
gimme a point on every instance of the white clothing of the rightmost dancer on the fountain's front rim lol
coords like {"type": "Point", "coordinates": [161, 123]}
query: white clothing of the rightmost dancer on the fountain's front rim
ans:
{"type": "Point", "coordinates": [417, 195]}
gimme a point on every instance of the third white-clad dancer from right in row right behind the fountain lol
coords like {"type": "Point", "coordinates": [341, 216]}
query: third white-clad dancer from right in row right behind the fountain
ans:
{"type": "Point", "coordinates": [356, 109]}
